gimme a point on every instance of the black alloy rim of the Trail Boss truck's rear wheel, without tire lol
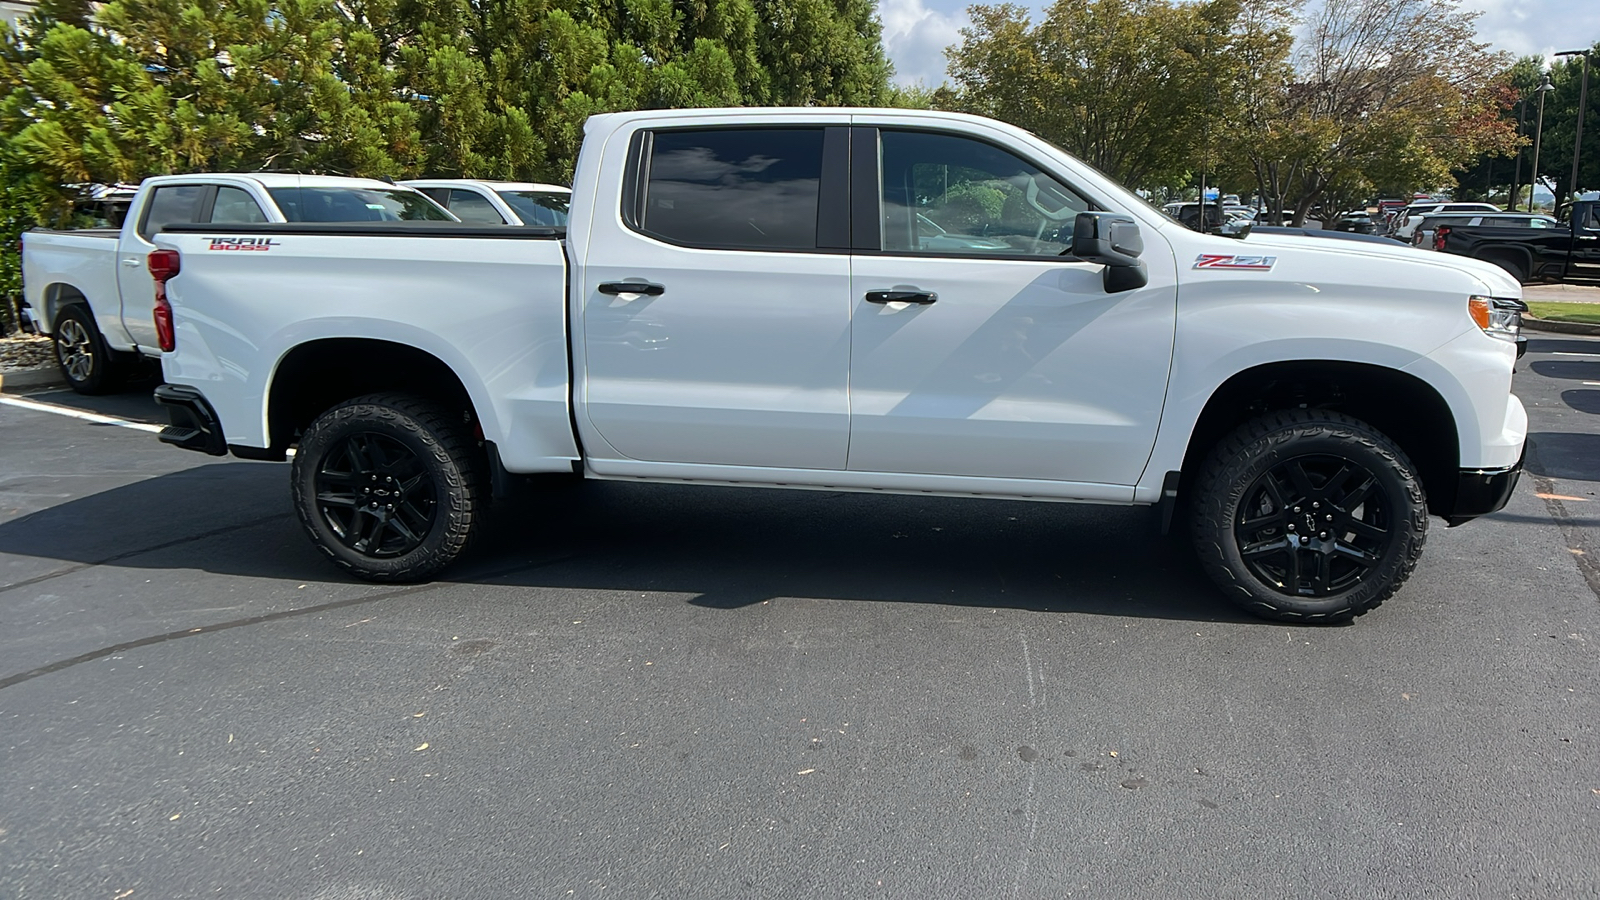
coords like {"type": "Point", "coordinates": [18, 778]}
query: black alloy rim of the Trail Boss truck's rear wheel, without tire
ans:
{"type": "Point", "coordinates": [377, 496]}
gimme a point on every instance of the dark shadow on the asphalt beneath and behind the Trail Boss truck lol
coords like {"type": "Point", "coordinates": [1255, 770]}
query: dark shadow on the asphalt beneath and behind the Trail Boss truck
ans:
{"type": "Point", "coordinates": [726, 548]}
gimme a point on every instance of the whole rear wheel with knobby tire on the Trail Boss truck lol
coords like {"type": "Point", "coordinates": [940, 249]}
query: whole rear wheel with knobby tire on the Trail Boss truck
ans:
{"type": "Point", "coordinates": [390, 488]}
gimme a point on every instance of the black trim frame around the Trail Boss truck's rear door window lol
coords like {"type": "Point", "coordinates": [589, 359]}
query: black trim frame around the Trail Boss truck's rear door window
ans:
{"type": "Point", "coordinates": [833, 203]}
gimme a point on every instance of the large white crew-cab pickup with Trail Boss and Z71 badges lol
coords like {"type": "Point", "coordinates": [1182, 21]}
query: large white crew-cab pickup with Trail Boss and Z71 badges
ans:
{"type": "Point", "coordinates": [858, 300]}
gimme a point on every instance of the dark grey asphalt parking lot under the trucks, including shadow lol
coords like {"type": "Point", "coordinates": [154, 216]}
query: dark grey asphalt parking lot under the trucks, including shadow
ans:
{"type": "Point", "coordinates": [634, 691]}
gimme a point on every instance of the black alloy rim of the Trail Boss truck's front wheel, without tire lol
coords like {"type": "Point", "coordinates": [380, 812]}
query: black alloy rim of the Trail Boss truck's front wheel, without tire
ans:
{"type": "Point", "coordinates": [1314, 526]}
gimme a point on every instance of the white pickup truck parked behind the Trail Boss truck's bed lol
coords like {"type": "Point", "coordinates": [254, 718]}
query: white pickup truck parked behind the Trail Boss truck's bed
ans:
{"type": "Point", "coordinates": [94, 292]}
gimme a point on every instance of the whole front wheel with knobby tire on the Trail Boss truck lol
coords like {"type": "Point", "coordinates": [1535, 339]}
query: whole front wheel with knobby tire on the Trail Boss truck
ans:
{"type": "Point", "coordinates": [1310, 516]}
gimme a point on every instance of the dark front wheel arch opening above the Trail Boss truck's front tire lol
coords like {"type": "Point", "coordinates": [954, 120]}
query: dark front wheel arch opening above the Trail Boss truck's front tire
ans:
{"type": "Point", "coordinates": [1407, 409]}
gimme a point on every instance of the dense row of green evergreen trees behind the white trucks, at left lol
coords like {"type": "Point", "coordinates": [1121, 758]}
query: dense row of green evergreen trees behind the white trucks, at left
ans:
{"type": "Point", "coordinates": [100, 94]}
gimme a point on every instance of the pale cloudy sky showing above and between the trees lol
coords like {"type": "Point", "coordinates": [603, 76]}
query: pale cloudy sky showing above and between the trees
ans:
{"type": "Point", "coordinates": [916, 33]}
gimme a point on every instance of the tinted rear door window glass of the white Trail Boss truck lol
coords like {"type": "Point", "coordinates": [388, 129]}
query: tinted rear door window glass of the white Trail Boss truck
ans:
{"type": "Point", "coordinates": [735, 188]}
